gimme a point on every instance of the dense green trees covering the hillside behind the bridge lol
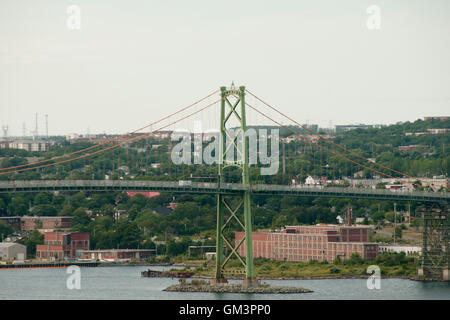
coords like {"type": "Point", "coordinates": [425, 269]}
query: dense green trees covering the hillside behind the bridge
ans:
{"type": "Point", "coordinates": [193, 221]}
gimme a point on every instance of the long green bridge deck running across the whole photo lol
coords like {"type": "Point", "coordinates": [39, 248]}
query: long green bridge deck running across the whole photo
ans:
{"type": "Point", "coordinates": [212, 188]}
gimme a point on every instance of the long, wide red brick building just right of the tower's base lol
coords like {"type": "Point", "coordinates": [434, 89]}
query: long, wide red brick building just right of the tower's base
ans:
{"type": "Point", "coordinates": [305, 243]}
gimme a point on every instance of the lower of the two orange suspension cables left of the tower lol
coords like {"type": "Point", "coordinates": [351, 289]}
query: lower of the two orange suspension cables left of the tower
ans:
{"type": "Point", "coordinates": [145, 135]}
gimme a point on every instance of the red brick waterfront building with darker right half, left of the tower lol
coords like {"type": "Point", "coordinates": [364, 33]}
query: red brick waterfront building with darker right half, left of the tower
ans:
{"type": "Point", "coordinates": [61, 245]}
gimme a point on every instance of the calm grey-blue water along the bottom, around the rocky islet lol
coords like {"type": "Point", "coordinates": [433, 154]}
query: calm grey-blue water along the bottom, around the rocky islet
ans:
{"type": "Point", "coordinates": [126, 283]}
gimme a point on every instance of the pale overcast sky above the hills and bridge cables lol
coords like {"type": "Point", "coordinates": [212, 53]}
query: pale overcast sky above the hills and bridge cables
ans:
{"type": "Point", "coordinates": [135, 61]}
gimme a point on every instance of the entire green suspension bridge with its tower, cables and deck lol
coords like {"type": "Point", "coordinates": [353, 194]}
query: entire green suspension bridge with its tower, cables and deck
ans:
{"type": "Point", "coordinates": [233, 114]}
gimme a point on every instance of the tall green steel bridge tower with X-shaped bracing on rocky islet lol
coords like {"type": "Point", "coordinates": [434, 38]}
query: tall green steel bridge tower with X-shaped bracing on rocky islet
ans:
{"type": "Point", "coordinates": [232, 208]}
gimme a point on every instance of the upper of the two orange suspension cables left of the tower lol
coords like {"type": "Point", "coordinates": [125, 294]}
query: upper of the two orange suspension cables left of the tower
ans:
{"type": "Point", "coordinates": [112, 139]}
